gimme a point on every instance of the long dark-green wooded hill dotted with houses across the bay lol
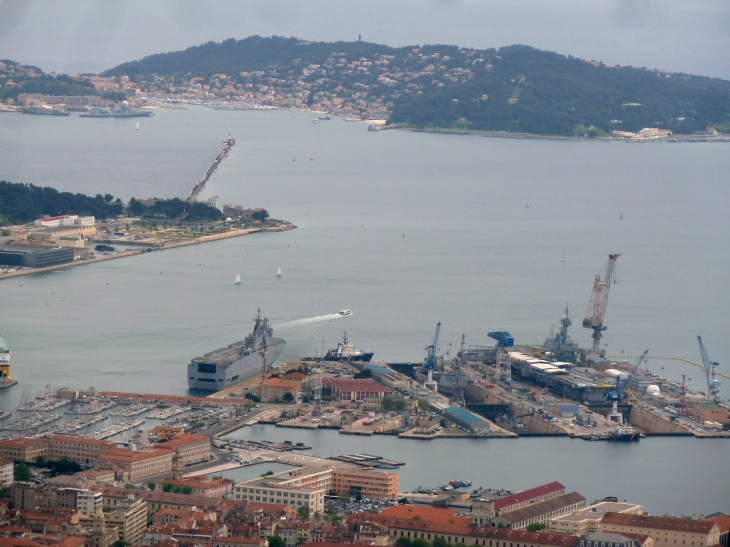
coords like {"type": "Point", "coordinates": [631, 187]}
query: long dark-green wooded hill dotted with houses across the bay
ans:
{"type": "Point", "coordinates": [516, 88]}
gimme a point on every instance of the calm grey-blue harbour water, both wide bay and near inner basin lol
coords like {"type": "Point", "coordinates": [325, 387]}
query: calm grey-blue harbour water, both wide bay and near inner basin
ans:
{"type": "Point", "coordinates": [405, 229]}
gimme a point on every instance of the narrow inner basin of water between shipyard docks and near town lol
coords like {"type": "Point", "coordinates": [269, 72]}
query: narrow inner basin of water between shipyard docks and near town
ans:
{"type": "Point", "coordinates": [632, 471]}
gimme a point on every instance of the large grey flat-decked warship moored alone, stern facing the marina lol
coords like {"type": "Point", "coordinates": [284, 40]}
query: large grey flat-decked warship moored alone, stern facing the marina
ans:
{"type": "Point", "coordinates": [240, 361]}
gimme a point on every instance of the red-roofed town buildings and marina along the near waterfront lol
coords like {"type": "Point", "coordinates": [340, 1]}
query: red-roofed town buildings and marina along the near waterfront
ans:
{"type": "Point", "coordinates": [165, 487]}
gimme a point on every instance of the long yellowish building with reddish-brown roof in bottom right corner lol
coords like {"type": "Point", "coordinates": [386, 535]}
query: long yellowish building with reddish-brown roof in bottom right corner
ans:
{"type": "Point", "coordinates": [666, 531]}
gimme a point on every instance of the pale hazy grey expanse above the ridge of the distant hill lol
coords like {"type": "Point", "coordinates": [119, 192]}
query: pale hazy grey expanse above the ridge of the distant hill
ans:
{"type": "Point", "coordinates": [87, 36]}
